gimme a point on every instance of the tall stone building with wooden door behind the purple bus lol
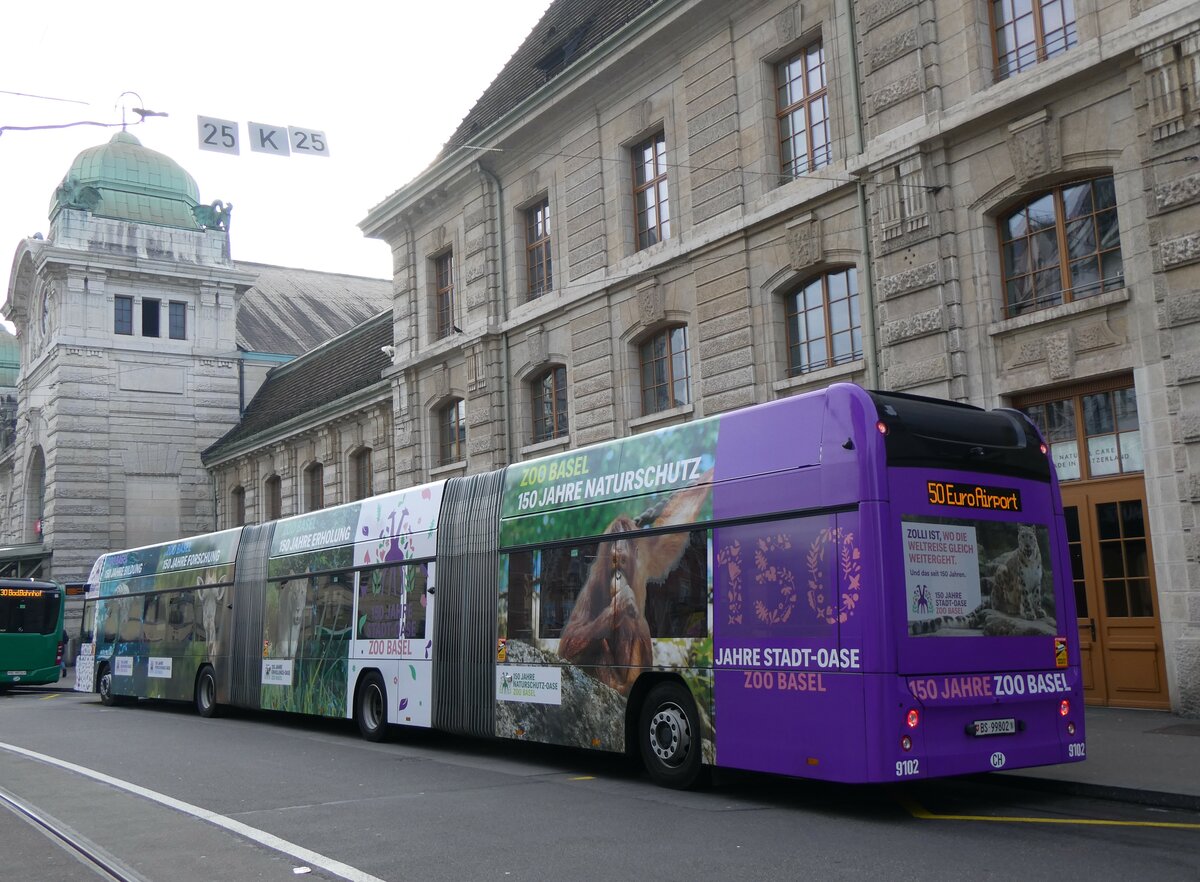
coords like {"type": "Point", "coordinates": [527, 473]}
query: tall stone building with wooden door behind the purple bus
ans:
{"type": "Point", "coordinates": [664, 211]}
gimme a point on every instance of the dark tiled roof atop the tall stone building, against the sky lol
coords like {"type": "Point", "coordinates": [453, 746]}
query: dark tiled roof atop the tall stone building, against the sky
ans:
{"type": "Point", "coordinates": [568, 31]}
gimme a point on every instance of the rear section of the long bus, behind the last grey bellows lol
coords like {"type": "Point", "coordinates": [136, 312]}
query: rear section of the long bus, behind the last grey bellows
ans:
{"type": "Point", "coordinates": [845, 585]}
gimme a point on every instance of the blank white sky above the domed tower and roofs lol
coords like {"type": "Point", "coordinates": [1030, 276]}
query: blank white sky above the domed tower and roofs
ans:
{"type": "Point", "coordinates": [388, 82]}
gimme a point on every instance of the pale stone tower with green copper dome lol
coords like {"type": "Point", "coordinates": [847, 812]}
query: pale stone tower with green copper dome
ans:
{"type": "Point", "coordinates": [127, 322]}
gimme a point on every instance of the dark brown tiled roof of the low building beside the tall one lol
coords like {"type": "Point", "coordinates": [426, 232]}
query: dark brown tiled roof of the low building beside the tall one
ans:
{"type": "Point", "coordinates": [341, 368]}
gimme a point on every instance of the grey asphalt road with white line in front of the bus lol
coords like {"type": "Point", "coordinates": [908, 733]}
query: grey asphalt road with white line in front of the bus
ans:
{"type": "Point", "coordinates": [268, 797]}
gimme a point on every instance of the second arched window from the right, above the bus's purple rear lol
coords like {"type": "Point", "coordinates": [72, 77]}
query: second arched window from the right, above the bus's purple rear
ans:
{"type": "Point", "coordinates": [825, 327]}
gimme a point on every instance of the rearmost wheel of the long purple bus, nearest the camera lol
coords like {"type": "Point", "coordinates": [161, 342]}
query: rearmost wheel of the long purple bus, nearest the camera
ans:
{"type": "Point", "coordinates": [669, 736]}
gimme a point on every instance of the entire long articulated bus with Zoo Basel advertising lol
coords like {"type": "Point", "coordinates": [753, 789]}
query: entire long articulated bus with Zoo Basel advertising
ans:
{"type": "Point", "coordinates": [845, 585]}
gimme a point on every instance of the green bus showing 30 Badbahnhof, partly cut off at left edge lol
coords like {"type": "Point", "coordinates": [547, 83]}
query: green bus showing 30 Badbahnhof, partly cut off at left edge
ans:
{"type": "Point", "coordinates": [32, 639]}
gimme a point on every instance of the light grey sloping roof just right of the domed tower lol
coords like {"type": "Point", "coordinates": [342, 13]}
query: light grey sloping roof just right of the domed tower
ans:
{"type": "Point", "coordinates": [290, 311]}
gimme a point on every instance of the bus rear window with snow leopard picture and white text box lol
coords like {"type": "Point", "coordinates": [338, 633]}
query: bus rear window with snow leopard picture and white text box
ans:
{"type": "Point", "coordinates": [977, 578]}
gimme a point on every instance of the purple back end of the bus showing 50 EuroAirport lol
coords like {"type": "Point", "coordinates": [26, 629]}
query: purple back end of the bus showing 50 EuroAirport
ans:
{"type": "Point", "coordinates": [979, 595]}
